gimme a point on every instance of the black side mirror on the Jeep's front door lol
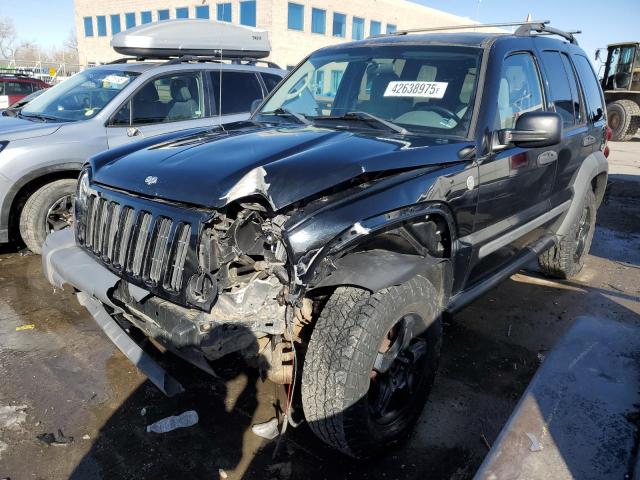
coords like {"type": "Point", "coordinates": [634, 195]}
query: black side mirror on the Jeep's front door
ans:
{"type": "Point", "coordinates": [533, 130]}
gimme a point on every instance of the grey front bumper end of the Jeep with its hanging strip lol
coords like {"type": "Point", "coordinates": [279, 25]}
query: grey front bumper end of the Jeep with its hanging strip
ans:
{"type": "Point", "coordinates": [65, 263]}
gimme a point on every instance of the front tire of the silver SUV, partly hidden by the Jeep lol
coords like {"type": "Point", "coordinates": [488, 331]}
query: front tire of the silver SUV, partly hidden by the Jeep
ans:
{"type": "Point", "coordinates": [34, 212]}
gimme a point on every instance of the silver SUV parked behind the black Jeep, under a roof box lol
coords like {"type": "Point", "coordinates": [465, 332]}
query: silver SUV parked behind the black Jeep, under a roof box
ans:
{"type": "Point", "coordinates": [44, 146]}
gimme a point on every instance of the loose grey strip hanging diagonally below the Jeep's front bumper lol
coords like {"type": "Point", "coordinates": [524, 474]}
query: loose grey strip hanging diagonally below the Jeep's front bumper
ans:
{"type": "Point", "coordinates": [161, 379]}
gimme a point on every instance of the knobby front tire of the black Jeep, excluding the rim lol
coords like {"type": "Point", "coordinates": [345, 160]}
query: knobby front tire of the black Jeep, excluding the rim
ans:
{"type": "Point", "coordinates": [340, 359]}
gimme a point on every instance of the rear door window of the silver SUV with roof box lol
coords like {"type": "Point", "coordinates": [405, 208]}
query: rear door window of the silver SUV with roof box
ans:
{"type": "Point", "coordinates": [239, 90]}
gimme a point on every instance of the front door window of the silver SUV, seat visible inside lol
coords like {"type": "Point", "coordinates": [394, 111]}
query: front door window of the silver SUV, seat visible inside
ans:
{"type": "Point", "coordinates": [170, 98]}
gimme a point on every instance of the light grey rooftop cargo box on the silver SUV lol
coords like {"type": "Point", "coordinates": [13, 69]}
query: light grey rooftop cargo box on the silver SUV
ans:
{"type": "Point", "coordinates": [174, 38]}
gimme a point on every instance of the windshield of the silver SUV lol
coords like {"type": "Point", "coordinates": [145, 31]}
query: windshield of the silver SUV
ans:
{"type": "Point", "coordinates": [80, 97]}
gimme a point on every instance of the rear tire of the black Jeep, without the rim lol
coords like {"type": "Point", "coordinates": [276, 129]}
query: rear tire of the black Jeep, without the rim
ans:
{"type": "Point", "coordinates": [562, 260]}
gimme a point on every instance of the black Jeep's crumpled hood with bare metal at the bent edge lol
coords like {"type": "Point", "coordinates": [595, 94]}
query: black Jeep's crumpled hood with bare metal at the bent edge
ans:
{"type": "Point", "coordinates": [284, 164]}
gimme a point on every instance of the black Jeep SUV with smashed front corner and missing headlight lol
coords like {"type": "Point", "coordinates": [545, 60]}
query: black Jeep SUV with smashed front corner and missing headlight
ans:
{"type": "Point", "coordinates": [324, 239]}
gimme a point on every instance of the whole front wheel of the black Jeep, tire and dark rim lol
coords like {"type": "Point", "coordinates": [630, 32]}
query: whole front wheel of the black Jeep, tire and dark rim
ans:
{"type": "Point", "coordinates": [370, 364]}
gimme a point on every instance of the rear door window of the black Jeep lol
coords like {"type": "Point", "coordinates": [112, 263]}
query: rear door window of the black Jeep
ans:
{"type": "Point", "coordinates": [564, 93]}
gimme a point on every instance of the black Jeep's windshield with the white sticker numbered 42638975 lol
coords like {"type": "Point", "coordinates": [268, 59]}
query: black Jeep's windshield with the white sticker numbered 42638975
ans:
{"type": "Point", "coordinates": [423, 89]}
